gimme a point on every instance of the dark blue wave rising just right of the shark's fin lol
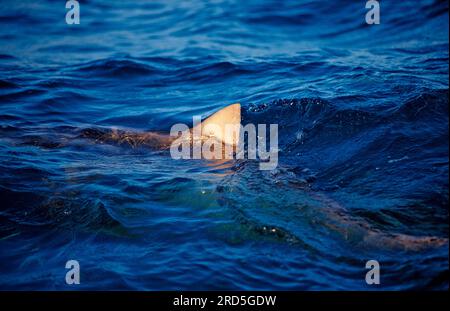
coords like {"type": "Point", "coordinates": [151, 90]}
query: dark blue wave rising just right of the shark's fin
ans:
{"type": "Point", "coordinates": [317, 123]}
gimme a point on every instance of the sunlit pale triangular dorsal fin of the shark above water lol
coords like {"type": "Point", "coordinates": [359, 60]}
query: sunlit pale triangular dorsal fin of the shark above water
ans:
{"type": "Point", "coordinates": [215, 125]}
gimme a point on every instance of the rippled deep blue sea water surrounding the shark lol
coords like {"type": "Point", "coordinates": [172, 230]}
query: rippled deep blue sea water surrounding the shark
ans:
{"type": "Point", "coordinates": [363, 164]}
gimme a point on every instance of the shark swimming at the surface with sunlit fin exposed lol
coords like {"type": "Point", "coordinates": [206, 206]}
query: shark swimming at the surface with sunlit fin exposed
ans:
{"type": "Point", "coordinates": [336, 217]}
